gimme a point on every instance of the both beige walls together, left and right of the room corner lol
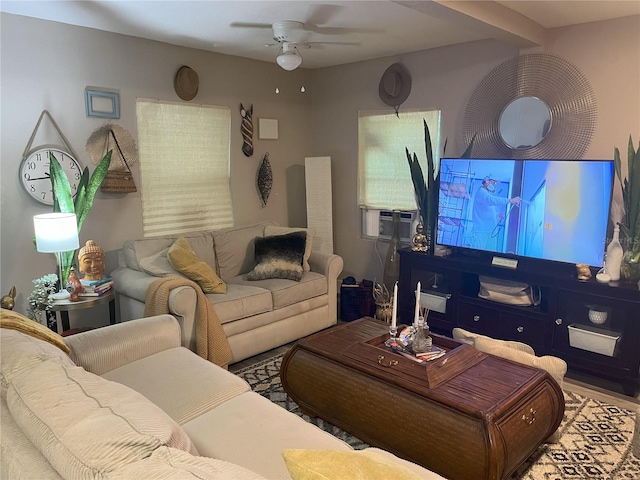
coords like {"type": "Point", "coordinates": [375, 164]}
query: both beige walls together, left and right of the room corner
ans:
{"type": "Point", "coordinates": [46, 65]}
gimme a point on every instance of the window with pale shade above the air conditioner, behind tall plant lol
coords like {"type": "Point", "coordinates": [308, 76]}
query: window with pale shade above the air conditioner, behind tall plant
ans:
{"type": "Point", "coordinates": [384, 179]}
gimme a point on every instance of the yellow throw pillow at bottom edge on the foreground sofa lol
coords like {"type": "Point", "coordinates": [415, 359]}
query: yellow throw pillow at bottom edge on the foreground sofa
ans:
{"type": "Point", "coordinates": [343, 465]}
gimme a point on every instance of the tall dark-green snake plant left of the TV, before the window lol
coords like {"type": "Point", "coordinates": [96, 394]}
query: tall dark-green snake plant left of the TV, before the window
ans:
{"type": "Point", "coordinates": [427, 192]}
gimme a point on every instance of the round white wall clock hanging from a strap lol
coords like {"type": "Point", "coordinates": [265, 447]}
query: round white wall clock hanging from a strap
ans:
{"type": "Point", "coordinates": [34, 172]}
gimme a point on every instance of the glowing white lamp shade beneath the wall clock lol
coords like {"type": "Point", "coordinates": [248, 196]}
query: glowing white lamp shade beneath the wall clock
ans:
{"type": "Point", "coordinates": [56, 232]}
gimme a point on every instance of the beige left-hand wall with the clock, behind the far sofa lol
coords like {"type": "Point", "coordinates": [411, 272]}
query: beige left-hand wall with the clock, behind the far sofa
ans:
{"type": "Point", "coordinates": [47, 65]}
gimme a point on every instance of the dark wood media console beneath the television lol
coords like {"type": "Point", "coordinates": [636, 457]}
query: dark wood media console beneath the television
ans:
{"type": "Point", "coordinates": [594, 327]}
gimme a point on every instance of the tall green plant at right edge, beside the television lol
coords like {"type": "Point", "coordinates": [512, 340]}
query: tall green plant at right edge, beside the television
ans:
{"type": "Point", "coordinates": [630, 224]}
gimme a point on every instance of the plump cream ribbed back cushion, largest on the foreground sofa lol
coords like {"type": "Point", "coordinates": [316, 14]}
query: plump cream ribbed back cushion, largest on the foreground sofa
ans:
{"type": "Point", "coordinates": [85, 425]}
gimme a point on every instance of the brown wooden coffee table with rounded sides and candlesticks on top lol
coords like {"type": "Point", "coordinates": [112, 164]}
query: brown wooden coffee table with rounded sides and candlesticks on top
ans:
{"type": "Point", "coordinates": [466, 415]}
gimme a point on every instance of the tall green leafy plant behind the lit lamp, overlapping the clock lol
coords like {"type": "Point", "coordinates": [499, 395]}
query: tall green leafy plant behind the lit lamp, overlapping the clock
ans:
{"type": "Point", "coordinates": [63, 201]}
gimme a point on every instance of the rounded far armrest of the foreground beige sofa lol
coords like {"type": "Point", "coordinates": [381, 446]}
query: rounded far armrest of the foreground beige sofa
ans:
{"type": "Point", "coordinates": [105, 349]}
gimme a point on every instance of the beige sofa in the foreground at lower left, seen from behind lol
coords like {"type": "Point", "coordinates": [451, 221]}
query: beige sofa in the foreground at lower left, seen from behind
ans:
{"type": "Point", "coordinates": [131, 402]}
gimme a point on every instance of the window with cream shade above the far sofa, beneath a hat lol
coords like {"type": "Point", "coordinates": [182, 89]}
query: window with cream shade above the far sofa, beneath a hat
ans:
{"type": "Point", "coordinates": [184, 167]}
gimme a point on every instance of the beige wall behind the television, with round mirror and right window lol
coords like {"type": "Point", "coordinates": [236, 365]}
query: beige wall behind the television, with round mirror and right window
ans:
{"type": "Point", "coordinates": [607, 53]}
